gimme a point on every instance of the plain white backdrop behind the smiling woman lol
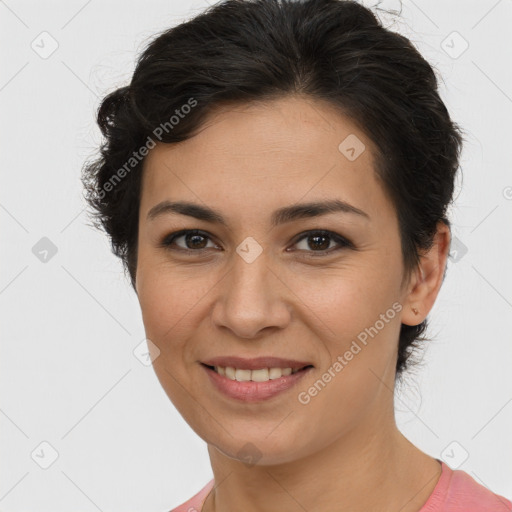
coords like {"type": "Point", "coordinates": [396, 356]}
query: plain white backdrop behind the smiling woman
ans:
{"type": "Point", "coordinates": [76, 398]}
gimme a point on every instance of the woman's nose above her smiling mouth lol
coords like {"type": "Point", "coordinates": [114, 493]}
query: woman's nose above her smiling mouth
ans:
{"type": "Point", "coordinates": [252, 298]}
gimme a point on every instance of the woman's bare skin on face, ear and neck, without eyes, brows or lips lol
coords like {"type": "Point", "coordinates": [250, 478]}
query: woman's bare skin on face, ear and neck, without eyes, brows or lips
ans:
{"type": "Point", "coordinates": [342, 451]}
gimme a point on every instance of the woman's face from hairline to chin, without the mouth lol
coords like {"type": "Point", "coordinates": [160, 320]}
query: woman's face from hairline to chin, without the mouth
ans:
{"type": "Point", "coordinates": [263, 284]}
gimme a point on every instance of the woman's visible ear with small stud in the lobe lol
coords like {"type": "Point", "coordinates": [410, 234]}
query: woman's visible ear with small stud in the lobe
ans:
{"type": "Point", "coordinates": [427, 278]}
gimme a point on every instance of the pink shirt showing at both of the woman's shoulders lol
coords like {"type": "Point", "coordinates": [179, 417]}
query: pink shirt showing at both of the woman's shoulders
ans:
{"type": "Point", "coordinates": [455, 491]}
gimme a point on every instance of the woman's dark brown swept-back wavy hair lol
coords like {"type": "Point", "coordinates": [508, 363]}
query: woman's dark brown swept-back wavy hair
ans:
{"type": "Point", "coordinates": [242, 51]}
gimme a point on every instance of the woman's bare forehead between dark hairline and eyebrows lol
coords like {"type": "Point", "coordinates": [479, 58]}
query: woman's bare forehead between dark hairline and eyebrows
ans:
{"type": "Point", "coordinates": [263, 155]}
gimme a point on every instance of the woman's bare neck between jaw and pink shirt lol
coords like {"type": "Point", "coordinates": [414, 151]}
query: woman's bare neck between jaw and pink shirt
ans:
{"type": "Point", "coordinates": [377, 469]}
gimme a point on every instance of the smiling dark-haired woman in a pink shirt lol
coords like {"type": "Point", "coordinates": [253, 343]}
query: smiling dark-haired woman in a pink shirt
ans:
{"type": "Point", "coordinates": [275, 179]}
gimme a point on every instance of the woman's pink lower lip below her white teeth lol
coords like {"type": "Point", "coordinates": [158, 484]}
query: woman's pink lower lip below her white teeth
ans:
{"type": "Point", "coordinates": [250, 391]}
